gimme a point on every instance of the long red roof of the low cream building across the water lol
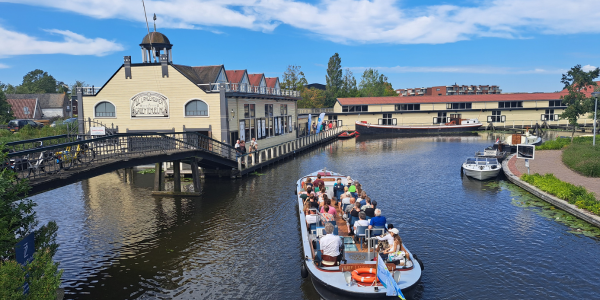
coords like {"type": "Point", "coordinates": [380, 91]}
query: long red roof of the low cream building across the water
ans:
{"type": "Point", "coordinates": [454, 98]}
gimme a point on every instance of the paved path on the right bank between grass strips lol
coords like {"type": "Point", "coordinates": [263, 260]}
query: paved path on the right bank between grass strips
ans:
{"type": "Point", "coordinates": [550, 161]}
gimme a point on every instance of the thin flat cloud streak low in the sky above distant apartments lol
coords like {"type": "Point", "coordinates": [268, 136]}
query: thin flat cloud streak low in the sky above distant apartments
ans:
{"type": "Point", "coordinates": [461, 69]}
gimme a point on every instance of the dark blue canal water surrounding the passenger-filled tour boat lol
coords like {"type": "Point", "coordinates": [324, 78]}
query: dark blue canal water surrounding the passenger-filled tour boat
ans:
{"type": "Point", "coordinates": [240, 240]}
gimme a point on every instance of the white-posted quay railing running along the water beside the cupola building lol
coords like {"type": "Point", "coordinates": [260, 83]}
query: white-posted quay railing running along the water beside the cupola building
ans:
{"type": "Point", "coordinates": [252, 159]}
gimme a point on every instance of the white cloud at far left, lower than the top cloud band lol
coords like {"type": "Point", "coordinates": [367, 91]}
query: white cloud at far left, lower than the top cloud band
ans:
{"type": "Point", "coordinates": [72, 43]}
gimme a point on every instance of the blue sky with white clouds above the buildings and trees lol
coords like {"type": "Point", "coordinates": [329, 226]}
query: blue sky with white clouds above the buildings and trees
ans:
{"type": "Point", "coordinates": [523, 46]}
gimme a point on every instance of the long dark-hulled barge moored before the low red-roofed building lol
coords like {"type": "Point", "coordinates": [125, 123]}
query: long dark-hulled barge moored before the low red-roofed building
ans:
{"type": "Point", "coordinates": [456, 124]}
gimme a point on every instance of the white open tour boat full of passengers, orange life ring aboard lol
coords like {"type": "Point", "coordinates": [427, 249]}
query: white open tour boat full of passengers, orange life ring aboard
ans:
{"type": "Point", "coordinates": [340, 281]}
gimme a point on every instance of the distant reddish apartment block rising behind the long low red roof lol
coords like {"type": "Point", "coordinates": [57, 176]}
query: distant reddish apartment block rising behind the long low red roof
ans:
{"type": "Point", "coordinates": [449, 90]}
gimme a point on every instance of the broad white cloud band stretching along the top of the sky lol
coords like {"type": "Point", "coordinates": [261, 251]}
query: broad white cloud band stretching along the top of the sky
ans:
{"type": "Point", "coordinates": [362, 21]}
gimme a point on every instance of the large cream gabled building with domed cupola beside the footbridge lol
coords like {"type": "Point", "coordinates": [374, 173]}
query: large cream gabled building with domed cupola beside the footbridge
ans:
{"type": "Point", "coordinates": [160, 96]}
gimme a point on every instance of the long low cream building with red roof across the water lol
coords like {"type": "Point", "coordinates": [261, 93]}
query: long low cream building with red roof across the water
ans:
{"type": "Point", "coordinates": [500, 109]}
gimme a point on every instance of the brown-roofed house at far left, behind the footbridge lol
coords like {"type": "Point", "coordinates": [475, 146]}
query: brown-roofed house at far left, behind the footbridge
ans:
{"type": "Point", "coordinates": [50, 105]}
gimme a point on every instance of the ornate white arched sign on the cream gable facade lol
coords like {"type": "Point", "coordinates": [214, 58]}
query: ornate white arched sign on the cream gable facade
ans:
{"type": "Point", "coordinates": [149, 104]}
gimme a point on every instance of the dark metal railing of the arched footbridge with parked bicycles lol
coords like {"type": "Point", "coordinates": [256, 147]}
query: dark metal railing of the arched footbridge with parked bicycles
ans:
{"type": "Point", "coordinates": [55, 159]}
